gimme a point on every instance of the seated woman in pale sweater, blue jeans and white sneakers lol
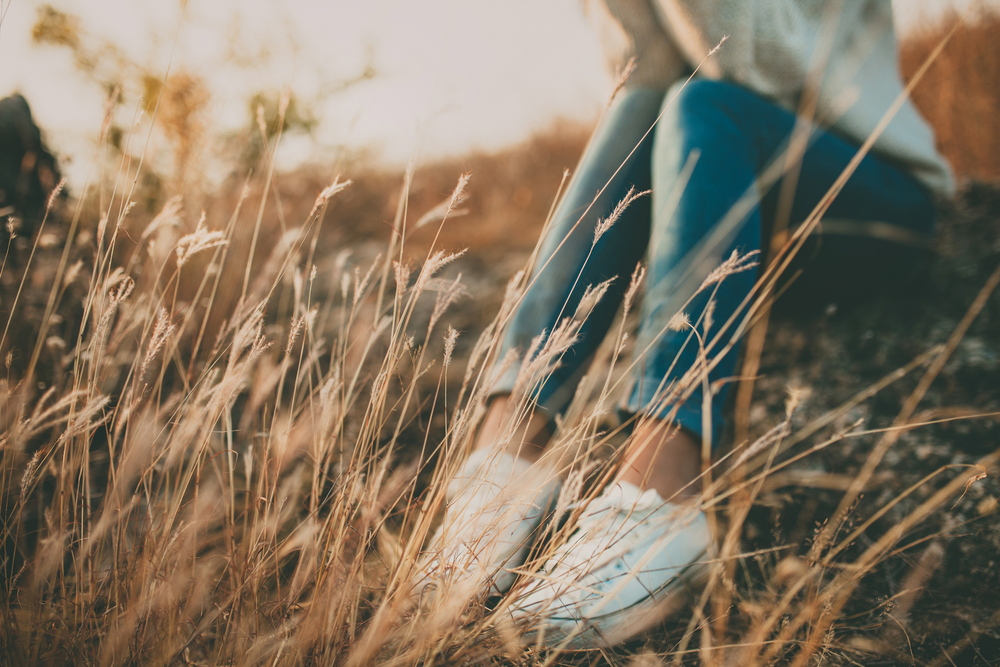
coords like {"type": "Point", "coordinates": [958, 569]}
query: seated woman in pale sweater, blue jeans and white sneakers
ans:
{"type": "Point", "coordinates": [711, 160]}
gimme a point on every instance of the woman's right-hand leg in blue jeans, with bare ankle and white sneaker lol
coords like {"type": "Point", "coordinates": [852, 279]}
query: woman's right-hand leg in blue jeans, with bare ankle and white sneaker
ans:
{"type": "Point", "coordinates": [621, 571]}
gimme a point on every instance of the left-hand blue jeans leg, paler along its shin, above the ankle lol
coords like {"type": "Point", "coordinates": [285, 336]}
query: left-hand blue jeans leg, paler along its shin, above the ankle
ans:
{"type": "Point", "coordinates": [569, 261]}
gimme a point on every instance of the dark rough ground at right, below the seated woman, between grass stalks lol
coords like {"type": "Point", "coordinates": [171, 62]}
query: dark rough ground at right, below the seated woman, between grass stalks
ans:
{"type": "Point", "coordinates": [849, 346]}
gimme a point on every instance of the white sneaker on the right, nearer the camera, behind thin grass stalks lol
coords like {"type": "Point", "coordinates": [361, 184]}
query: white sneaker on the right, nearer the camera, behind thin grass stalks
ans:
{"type": "Point", "coordinates": [627, 566]}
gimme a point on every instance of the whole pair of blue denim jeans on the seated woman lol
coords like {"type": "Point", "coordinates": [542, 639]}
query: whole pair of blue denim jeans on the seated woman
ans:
{"type": "Point", "coordinates": [730, 135]}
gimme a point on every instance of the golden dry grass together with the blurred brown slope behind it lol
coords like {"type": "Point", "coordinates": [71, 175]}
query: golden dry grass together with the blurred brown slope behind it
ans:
{"type": "Point", "coordinates": [226, 440]}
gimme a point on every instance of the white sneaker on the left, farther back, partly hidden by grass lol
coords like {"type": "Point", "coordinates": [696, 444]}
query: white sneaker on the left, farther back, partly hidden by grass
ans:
{"type": "Point", "coordinates": [496, 504]}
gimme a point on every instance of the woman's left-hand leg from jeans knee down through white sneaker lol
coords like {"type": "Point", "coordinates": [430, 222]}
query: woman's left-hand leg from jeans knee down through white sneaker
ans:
{"type": "Point", "coordinates": [498, 499]}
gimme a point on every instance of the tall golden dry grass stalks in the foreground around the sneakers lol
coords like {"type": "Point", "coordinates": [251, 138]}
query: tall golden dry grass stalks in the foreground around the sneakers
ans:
{"type": "Point", "coordinates": [254, 482]}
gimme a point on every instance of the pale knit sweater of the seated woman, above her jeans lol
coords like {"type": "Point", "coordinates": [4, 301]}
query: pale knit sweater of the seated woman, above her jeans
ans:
{"type": "Point", "coordinates": [836, 61]}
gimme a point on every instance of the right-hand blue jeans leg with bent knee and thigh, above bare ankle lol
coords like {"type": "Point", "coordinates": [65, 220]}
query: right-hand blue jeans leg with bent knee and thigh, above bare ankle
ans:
{"type": "Point", "coordinates": [733, 134]}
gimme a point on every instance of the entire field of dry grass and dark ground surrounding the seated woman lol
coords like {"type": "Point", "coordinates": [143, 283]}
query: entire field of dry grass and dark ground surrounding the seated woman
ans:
{"type": "Point", "coordinates": [226, 438]}
